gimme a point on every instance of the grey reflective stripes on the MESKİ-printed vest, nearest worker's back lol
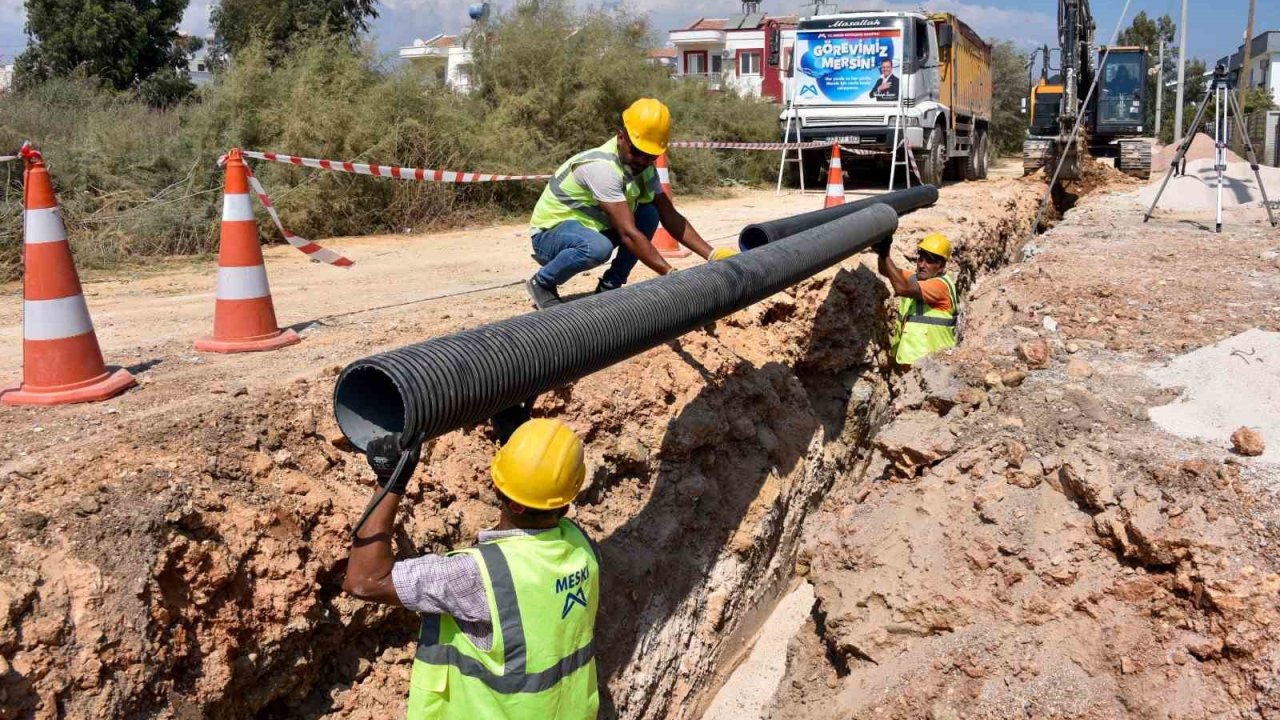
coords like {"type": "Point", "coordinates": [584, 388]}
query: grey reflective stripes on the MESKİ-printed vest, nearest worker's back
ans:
{"type": "Point", "coordinates": [515, 680]}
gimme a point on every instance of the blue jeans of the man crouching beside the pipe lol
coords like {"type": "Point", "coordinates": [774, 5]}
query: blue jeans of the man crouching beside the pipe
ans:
{"type": "Point", "coordinates": [570, 249]}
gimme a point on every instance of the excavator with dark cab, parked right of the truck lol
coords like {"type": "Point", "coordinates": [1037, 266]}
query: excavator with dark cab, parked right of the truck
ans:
{"type": "Point", "coordinates": [1112, 125]}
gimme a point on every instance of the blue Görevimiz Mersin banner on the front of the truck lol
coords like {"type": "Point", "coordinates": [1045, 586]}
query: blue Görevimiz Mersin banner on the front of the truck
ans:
{"type": "Point", "coordinates": [847, 65]}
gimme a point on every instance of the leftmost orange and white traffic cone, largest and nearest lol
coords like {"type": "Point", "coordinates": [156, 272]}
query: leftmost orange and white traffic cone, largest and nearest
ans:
{"type": "Point", "coordinates": [62, 362]}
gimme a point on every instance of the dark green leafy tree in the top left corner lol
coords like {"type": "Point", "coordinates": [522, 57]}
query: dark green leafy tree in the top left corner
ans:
{"type": "Point", "coordinates": [117, 42]}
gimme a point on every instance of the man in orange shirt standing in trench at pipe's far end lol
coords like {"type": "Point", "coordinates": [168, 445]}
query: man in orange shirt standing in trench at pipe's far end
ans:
{"type": "Point", "coordinates": [929, 306]}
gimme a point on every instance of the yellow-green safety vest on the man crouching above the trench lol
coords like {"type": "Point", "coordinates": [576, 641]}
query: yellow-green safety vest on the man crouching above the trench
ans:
{"type": "Point", "coordinates": [564, 199]}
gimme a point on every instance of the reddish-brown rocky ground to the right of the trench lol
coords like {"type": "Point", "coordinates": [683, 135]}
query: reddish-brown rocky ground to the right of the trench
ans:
{"type": "Point", "coordinates": [1026, 543]}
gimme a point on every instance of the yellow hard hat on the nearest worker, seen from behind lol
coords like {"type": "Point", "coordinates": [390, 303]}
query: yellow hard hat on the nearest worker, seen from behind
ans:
{"type": "Point", "coordinates": [542, 466]}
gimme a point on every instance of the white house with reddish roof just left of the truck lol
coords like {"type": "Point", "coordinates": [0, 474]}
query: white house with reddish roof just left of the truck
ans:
{"type": "Point", "coordinates": [747, 53]}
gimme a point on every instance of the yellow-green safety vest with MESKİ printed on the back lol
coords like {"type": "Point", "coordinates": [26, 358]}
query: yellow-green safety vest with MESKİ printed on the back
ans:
{"type": "Point", "coordinates": [545, 591]}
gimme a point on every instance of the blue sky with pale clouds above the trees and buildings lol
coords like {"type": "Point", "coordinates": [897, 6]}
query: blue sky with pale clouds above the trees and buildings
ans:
{"type": "Point", "coordinates": [1218, 26]}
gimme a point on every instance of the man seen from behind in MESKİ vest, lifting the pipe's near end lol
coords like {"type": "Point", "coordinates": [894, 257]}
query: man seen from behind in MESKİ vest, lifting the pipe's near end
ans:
{"type": "Point", "coordinates": [508, 626]}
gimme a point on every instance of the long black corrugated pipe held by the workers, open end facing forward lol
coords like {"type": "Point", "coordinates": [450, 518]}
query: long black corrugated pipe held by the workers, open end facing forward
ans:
{"type": "Point", "coordinates": [445, 384]}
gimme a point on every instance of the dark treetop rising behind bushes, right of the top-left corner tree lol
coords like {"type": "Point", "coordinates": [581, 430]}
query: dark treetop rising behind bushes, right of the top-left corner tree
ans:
{"type": "Point", "coordinates": [280, 22]}
